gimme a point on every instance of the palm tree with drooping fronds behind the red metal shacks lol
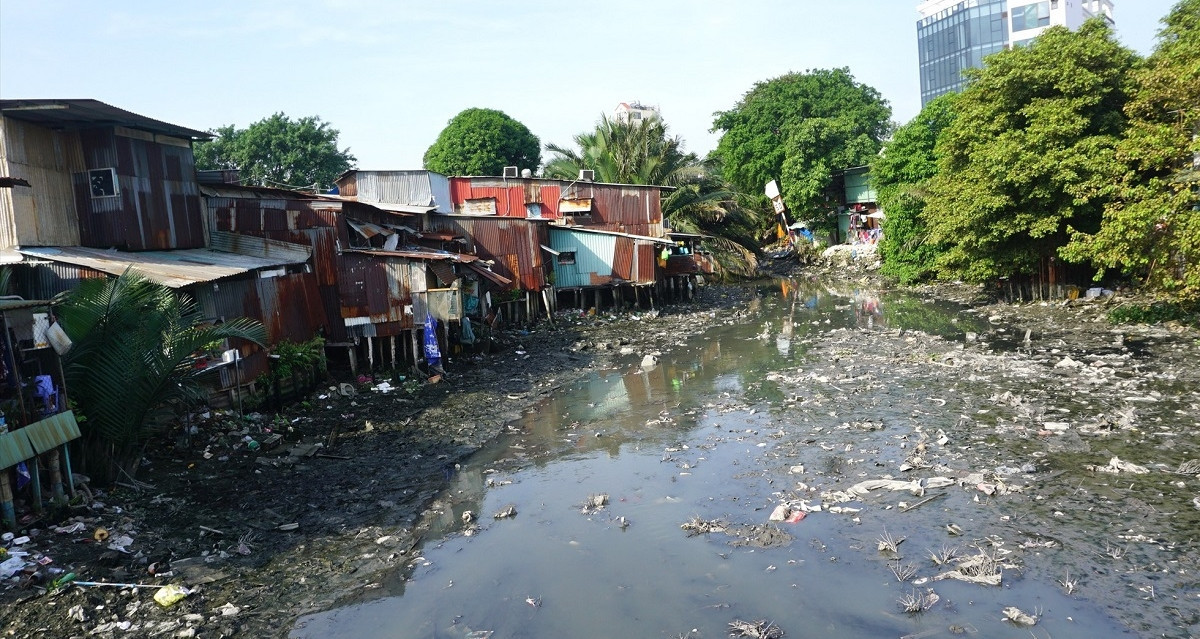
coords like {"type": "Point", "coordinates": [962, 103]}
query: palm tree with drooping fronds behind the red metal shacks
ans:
{"type": "Point", "coordinates": [645, 153]}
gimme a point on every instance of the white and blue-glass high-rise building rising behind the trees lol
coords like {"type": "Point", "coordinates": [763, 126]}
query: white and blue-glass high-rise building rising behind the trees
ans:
{"type": "Point", "coordinates": [955, 35]}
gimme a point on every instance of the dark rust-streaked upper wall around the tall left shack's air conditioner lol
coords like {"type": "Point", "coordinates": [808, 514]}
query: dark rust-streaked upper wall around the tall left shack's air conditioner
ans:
{"type": "Point", "coordinates": [159, 202]}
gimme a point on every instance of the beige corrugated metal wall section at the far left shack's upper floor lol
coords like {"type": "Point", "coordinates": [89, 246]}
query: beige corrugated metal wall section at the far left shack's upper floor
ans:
{"type": "Point", "coordinates": [44, 214]}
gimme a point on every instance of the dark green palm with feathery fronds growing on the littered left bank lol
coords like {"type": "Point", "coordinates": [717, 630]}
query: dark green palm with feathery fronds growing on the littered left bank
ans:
{"type": "Point", "coordinates": [131, 362]}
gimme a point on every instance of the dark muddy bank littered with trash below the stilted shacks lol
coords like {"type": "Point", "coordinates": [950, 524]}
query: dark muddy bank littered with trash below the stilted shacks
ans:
{"type": "Point", "coordinates": [269, 518]}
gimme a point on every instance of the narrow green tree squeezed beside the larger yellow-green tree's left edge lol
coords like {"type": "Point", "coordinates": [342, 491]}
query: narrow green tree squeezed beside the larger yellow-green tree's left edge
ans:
{"type": "Point", "coordinates": [902, 175]}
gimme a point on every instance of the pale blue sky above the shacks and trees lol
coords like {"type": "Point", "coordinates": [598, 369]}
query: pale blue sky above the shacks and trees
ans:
{"type": "Point", "coordinates": [389, 75]}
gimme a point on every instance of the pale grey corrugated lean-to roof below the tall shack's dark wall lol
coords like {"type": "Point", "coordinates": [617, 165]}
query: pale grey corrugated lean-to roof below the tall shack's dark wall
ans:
{"type": "Point", "coordinates": [176, 270]}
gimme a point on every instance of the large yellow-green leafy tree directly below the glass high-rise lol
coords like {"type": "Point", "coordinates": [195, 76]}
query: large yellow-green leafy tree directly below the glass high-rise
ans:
{"type": "Point", "coordinates": [1030, 153]}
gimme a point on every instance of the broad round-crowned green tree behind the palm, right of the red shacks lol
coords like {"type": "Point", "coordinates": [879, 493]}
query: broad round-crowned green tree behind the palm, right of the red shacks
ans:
{"type": "Point", "coordinates": [801, 129]}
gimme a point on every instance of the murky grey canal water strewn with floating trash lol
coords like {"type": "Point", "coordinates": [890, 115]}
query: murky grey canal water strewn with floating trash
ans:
{"type": "Point", "coordinates": [807, 395]}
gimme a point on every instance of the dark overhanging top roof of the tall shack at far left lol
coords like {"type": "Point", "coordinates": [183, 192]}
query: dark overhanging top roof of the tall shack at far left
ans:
{"type": "Point", "coordinates": [88, 115]}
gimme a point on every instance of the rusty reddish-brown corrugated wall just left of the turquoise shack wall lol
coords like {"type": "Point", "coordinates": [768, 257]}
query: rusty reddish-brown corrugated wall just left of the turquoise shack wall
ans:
{"type": "Point", "coordinates": [513, 244]}
